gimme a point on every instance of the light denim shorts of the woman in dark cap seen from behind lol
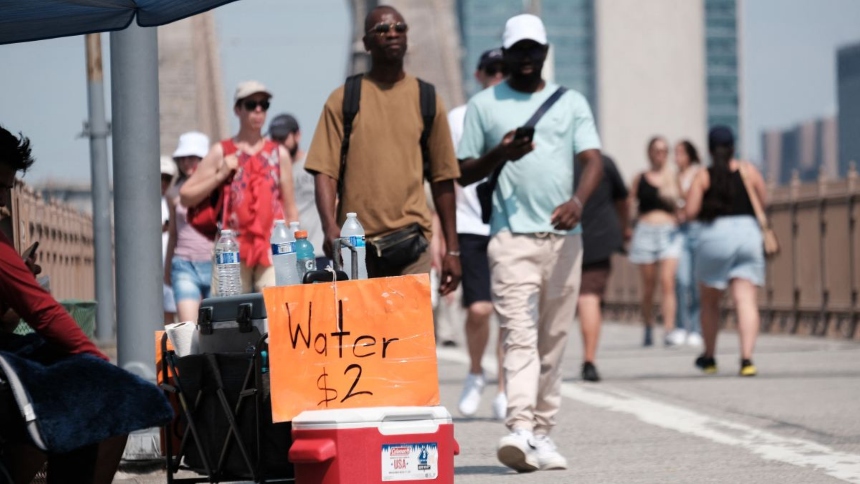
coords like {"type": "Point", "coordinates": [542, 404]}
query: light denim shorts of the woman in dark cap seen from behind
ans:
{"type": "Point", "coordinates": [730, 248]}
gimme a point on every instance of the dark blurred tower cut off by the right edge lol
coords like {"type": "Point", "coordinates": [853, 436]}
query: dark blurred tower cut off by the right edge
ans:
{"type": "Point", "coordinates": [848, 87]}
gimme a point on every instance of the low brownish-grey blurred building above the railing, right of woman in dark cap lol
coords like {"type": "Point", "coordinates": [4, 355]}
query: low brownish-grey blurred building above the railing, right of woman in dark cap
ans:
{"type": "Point", "coordinates": [809, 150]}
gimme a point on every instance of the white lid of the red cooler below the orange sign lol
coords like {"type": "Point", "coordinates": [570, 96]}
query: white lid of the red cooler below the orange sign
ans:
{"type": "Point", "coordinates": [368, 416]}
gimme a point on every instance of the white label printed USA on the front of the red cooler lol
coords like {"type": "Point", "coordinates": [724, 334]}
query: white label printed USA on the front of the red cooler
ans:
{"type": "Point", "coordinates": [410, 461]}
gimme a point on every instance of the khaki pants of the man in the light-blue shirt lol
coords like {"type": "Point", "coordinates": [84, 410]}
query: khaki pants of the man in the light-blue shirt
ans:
{"type": "Point", "coordinates": [535, 280]}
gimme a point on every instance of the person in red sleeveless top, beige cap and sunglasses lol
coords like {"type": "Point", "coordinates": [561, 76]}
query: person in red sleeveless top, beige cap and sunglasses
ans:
{"type": "Point", "coordinates": [251, 166]}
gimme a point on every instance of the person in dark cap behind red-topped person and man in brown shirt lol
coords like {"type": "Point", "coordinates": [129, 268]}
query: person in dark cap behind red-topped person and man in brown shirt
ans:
{"type": "Point", "coordinates": [284, 130]}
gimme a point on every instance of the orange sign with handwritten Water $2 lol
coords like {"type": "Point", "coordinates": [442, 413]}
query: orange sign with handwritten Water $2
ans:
{"type": "Point", "coordinates": [352, 344]}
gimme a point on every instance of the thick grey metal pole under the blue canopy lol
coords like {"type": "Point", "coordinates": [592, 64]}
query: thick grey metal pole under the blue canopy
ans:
{"type": "Point", "coordinates": [137, 196]}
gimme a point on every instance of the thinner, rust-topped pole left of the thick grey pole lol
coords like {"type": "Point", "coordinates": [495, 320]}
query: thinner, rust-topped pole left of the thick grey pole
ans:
{"type": "Point", "coordinates": [98, 131]}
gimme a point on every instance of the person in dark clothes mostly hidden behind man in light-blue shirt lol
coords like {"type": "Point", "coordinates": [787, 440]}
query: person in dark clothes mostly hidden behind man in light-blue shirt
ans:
{"type": "Point", "coordinates": [605, 228]}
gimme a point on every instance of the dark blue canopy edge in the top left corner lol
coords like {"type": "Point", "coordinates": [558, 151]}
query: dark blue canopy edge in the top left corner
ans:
{"type": "Point", "coordinates": [27, 20]}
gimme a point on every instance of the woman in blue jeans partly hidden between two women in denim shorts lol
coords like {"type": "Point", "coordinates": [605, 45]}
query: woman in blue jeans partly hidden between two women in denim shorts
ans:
{"type": "Point", "coordinates": [686, 287]}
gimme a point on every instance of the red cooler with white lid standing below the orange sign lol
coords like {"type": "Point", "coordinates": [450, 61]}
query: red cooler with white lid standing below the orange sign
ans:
{"type": "Point", "coordinates": [374, 445]}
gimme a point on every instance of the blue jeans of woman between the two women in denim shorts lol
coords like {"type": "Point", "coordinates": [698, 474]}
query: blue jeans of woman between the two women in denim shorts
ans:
{"type": "Point", "coordinates": [686, 287]}
